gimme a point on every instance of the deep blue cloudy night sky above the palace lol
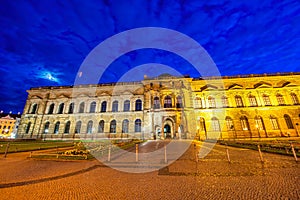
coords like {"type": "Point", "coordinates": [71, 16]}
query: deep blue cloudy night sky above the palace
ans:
{"type": "Point", "coordinates": [43, 43]}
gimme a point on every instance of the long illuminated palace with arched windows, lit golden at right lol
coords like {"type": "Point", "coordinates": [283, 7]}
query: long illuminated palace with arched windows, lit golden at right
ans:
{"type": "Point", "coordinates": [247, 106]}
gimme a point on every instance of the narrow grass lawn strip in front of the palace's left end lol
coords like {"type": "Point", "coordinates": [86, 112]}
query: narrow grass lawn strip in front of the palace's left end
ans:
{"type": "Point", "coordinates": [21, 146]}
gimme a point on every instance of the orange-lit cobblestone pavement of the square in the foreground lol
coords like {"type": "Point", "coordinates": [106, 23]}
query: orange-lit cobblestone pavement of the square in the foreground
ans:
{"type": "Point", "coordinates": [210, 178]}
